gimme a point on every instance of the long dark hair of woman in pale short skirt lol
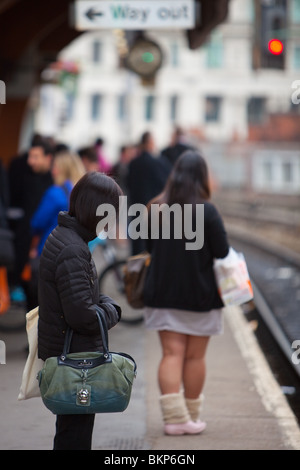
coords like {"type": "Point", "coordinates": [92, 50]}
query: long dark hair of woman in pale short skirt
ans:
{"type": "Point", "coordinates": [188, 182]}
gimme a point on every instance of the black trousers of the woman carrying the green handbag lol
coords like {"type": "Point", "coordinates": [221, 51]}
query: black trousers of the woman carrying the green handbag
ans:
{"type": "Point", "coordinates": [74, 432]}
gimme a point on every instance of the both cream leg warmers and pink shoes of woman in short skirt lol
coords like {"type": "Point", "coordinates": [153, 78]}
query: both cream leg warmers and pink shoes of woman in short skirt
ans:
{"type": "Point", "coordinates": [177, 420]}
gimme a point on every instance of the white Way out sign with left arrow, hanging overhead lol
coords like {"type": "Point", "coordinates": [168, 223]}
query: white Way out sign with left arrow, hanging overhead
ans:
{"type": "Point", "coordinates": [134, 14]}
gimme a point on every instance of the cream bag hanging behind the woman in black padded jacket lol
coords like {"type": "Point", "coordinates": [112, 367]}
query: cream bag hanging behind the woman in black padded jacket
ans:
{"type": "Point", "coordinates": [29, 386]}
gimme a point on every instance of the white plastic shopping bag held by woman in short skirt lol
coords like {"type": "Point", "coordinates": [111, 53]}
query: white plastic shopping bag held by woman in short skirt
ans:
{"type": "Point", "coordinates": [232, 279]}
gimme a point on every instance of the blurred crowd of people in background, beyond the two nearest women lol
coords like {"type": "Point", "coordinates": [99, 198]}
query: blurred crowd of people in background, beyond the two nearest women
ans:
{"type": "Point", "coordinates": [38, 183]}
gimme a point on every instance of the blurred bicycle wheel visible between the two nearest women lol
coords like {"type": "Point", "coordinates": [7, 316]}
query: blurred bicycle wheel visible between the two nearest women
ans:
{"type": "Point", "coordinates": [111, 283]}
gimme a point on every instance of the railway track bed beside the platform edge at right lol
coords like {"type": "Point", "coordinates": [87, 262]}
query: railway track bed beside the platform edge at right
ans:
{"type": "Point", "coordinates": [275, 313]}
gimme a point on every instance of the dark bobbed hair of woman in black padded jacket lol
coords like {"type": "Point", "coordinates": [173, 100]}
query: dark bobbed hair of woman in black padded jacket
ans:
{"type": "Point", "coordinates": [90, 191]}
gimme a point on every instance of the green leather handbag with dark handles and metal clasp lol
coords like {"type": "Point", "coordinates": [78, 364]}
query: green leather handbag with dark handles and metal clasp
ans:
{"type": "Point", "coordinates": [87, 383]}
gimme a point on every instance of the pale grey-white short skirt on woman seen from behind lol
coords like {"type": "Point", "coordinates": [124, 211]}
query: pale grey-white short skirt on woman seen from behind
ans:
{"type": "Point", "coordinates": [184, 321]}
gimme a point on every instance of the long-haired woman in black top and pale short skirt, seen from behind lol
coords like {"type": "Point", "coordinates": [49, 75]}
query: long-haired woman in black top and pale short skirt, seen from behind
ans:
{"type": "Point", "coordinates": [181, 296]}
